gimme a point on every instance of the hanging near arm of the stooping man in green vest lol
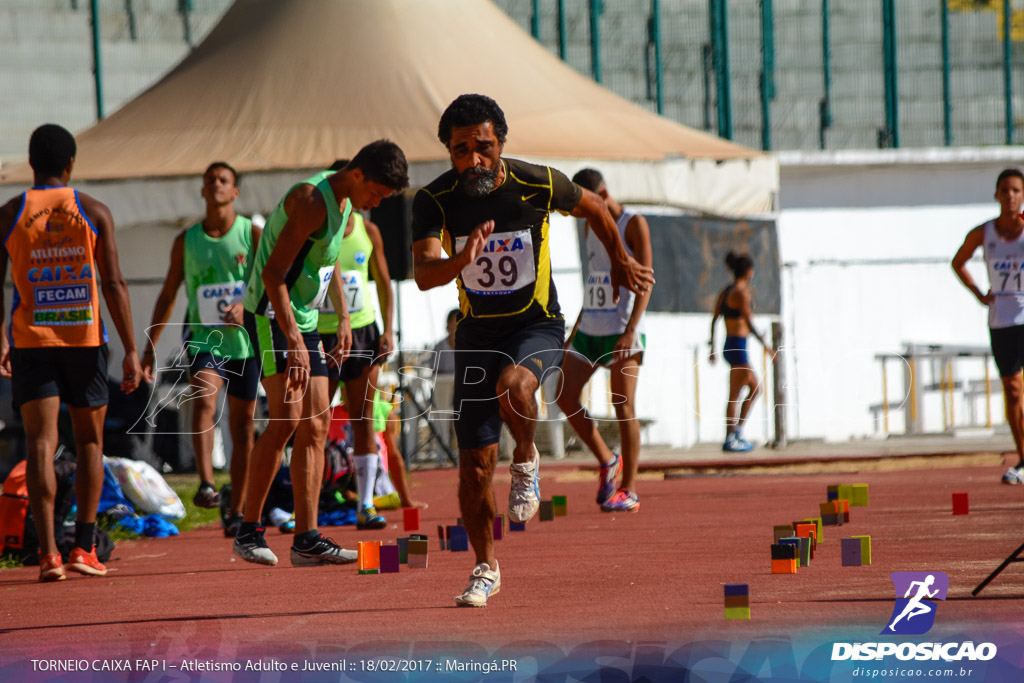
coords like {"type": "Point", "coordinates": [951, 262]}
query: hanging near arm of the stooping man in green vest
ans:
{"type": "Point", "coordinates": [307, 212]}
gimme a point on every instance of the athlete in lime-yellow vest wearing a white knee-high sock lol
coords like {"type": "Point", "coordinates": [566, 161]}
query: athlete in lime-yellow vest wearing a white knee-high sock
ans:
{"type": "Point", "coordinates": [362, 257]}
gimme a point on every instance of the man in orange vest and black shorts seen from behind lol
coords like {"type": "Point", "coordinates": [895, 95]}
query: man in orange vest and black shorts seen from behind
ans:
{"type": "Point", "coordinates": [60, 242]}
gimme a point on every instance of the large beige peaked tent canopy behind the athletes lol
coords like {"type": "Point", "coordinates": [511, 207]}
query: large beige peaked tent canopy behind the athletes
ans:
{"type": "Point", "coordinates": [288, 86]}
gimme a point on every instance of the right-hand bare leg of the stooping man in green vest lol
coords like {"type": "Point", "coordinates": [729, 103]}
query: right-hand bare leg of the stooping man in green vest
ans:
{"type": "Point", "coordinates": [308, 454]}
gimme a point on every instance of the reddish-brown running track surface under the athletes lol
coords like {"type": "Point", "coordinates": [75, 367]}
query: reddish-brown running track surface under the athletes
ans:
{"type": "Point", "coordinates": [652, 576]}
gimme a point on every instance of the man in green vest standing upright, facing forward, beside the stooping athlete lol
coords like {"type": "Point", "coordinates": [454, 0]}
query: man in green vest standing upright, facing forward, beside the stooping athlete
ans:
{"type": "Point", "coordinates": [211, 259]}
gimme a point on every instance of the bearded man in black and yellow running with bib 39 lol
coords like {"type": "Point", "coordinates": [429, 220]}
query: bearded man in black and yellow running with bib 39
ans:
{"type": "Point", "coordinates": [490, 216]}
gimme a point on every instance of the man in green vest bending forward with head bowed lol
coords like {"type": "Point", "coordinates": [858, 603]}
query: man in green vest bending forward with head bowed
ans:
{"type": "Point", "coordinates": [293, 273]}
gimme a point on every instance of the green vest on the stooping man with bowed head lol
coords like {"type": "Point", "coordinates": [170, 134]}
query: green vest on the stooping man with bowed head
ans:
{"type": "Point", "coordinates": [310, 276]}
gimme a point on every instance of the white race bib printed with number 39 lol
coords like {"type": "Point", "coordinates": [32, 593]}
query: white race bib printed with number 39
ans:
{"type": "Point", "coordinates": [505, 266]}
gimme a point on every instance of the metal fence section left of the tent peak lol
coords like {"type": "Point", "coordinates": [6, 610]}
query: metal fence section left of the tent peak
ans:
{"type": "Point", "coordinates": [74, 62]}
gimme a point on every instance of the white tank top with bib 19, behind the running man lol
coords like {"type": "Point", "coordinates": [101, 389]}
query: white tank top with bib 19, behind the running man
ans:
{"type": "Point", "coordinates": [602, 316]}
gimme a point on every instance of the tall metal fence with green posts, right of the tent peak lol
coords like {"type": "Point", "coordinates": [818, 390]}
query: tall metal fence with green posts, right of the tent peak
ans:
{"type": "Point", "coordinates": [803, 74]}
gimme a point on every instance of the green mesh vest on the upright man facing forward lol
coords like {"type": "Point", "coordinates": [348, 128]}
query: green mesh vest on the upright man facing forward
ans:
{"type": "Point", "coordinates": [215, 276]}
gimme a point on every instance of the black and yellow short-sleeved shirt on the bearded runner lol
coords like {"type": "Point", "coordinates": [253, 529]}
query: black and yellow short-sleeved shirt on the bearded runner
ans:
{"type": "Point", "coordinates": [510, 284]}
